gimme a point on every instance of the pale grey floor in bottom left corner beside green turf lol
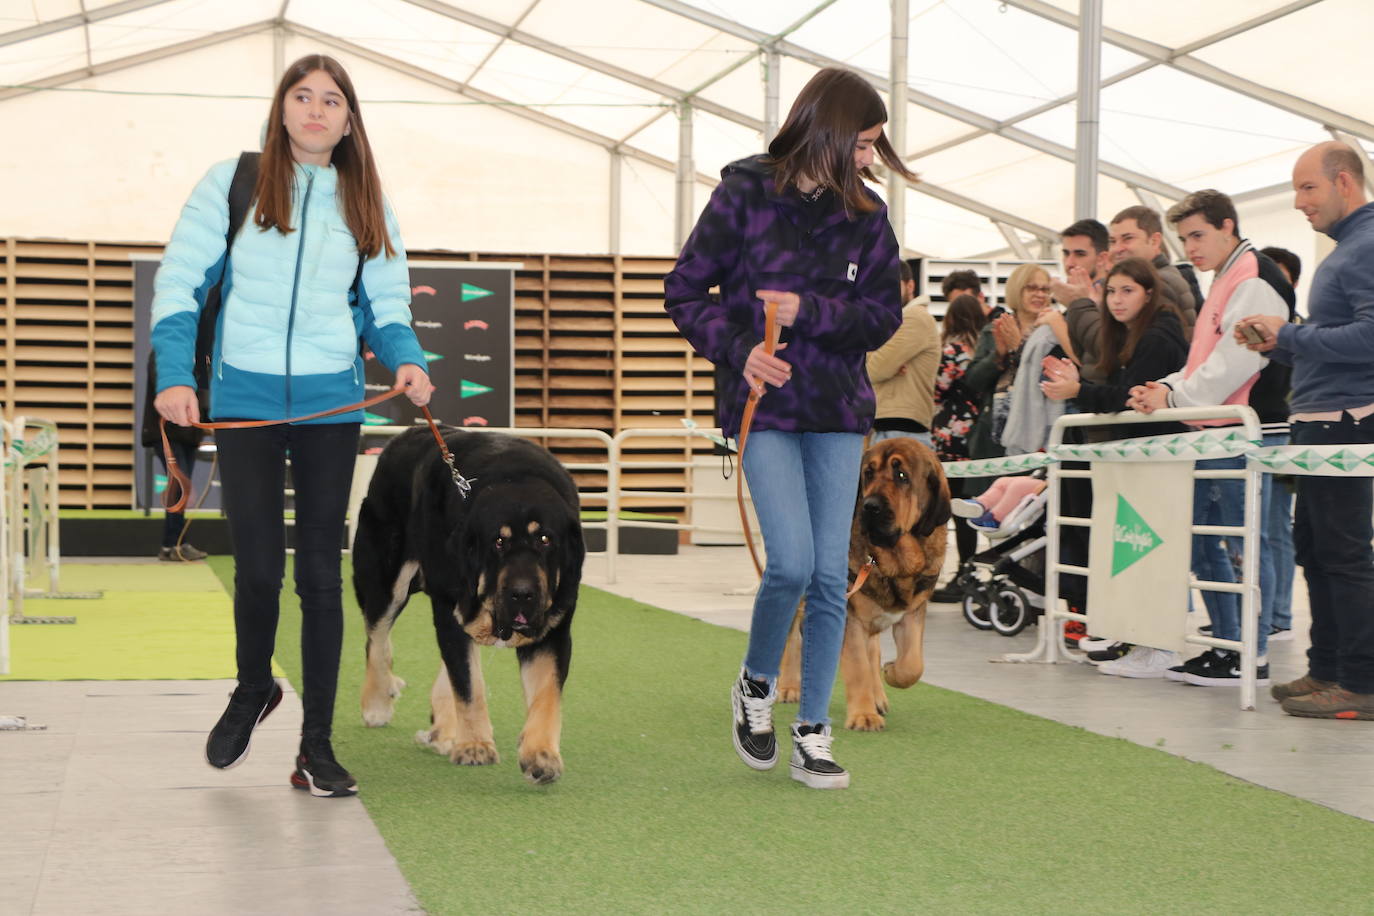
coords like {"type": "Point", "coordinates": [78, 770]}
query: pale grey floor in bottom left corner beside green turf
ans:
{"type": "Point", "coordinates": [112, 811]}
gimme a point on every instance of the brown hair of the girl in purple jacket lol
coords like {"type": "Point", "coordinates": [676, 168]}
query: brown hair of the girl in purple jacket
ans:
{"type": "Point", "coordinates": [818, 139]}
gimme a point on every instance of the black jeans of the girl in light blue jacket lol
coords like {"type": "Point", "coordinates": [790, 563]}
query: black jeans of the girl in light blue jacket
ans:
{"type": "Point", "coordinates": [254, 477]}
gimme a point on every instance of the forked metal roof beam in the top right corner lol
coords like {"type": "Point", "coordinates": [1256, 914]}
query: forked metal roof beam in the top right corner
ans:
{"type": "Point", "coordinates": [1181, 60]}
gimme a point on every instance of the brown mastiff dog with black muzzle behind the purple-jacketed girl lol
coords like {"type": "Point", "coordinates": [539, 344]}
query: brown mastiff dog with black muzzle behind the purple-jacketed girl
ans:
{"type": "Point", "coordinates": [901, 525]}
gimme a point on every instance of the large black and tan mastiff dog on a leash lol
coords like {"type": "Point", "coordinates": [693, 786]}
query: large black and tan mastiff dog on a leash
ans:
{"type": "Point", "coordinates": [501, 566]}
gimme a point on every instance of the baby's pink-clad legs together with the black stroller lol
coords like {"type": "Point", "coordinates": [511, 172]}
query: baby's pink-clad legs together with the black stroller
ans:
{"type": "Point", "coordinates": [1004, 586]}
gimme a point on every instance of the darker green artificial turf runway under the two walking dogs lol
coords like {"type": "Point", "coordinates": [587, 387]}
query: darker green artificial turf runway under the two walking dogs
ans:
{"type": "Point", "coordinates": [961, 807]}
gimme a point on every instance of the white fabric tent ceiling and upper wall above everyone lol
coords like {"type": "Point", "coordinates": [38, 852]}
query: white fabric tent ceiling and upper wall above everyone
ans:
{"type": "Point", "coordinates": [552, 124]}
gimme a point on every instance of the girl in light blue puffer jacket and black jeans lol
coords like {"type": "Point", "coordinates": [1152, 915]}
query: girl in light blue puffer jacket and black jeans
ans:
{"type": "Point", "coordinates": [317, 266]}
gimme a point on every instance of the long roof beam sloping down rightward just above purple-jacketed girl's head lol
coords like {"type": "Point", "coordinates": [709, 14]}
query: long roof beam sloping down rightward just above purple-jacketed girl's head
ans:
{"type": "Point", "coordinates": [923, 100]}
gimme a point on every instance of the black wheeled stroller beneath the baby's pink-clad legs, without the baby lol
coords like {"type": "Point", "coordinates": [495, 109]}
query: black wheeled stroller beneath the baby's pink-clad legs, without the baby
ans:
{"type": "Point", "coordinates": [1004, 587]}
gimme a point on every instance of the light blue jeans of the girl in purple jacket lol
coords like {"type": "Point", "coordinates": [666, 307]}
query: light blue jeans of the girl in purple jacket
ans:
{"type": "Point", "coordinates": [804, 487]}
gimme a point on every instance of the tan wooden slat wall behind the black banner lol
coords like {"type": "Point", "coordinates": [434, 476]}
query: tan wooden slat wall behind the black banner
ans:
{"type": "Point", "coordinates": [594, 350]}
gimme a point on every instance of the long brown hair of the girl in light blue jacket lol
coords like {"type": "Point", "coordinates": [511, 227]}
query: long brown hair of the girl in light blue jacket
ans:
{"type": "Point", "coordinates": [361, 189]}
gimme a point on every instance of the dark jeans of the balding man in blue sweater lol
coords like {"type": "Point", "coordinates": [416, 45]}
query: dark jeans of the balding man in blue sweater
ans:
{"type": "Point", "coordinates": [1332, 534]}
